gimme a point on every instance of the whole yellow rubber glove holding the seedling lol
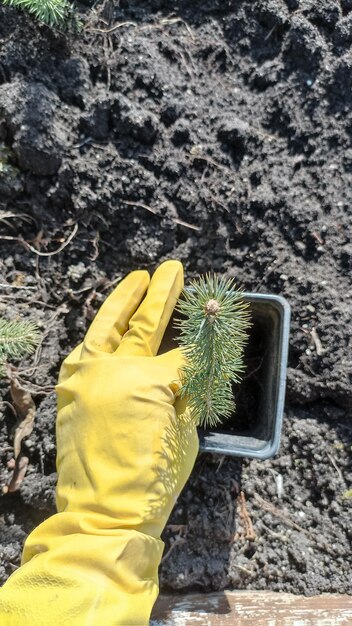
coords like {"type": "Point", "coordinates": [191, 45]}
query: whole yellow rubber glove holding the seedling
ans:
{"type": "Point", "coordinates": [125, 451]}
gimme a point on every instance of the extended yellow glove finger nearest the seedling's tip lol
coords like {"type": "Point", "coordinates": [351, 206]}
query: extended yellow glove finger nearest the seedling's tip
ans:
{"type": "Point", "coordinates": [148, 324]}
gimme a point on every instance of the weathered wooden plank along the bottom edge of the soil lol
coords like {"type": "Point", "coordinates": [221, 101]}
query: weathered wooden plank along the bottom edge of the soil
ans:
{"type": "Point", "coordinates": [252, 608]}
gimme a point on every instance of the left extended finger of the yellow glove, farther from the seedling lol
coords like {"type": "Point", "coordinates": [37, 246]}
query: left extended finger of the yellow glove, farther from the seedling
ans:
{"type": "Point", "coordinates": [111, 321]}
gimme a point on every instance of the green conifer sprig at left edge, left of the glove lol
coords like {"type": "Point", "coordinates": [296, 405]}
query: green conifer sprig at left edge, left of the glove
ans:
{"type": "Point", "coordinates": [17, 339]}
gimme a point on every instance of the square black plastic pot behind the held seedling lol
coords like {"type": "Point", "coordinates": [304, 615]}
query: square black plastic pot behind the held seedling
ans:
{"type": "Point", "coordinates": [255, 428]}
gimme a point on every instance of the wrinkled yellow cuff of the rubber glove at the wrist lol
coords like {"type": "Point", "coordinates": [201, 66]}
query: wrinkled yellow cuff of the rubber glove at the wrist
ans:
{"type": "Point", "coordinates": [109, 578]}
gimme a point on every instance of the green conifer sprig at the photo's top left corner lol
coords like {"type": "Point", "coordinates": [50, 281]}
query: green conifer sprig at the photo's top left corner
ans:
{"type": "Point", "coordinates": [54, 13]}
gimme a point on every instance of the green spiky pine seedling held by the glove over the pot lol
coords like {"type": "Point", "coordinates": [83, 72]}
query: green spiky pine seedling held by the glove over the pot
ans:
{"type": "Point", "coordinates": [213, 334]}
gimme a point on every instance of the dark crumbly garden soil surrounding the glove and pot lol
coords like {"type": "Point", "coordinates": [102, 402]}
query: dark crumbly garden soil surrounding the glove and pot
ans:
{"type": "Point", "coordinates": [218, 133]}
